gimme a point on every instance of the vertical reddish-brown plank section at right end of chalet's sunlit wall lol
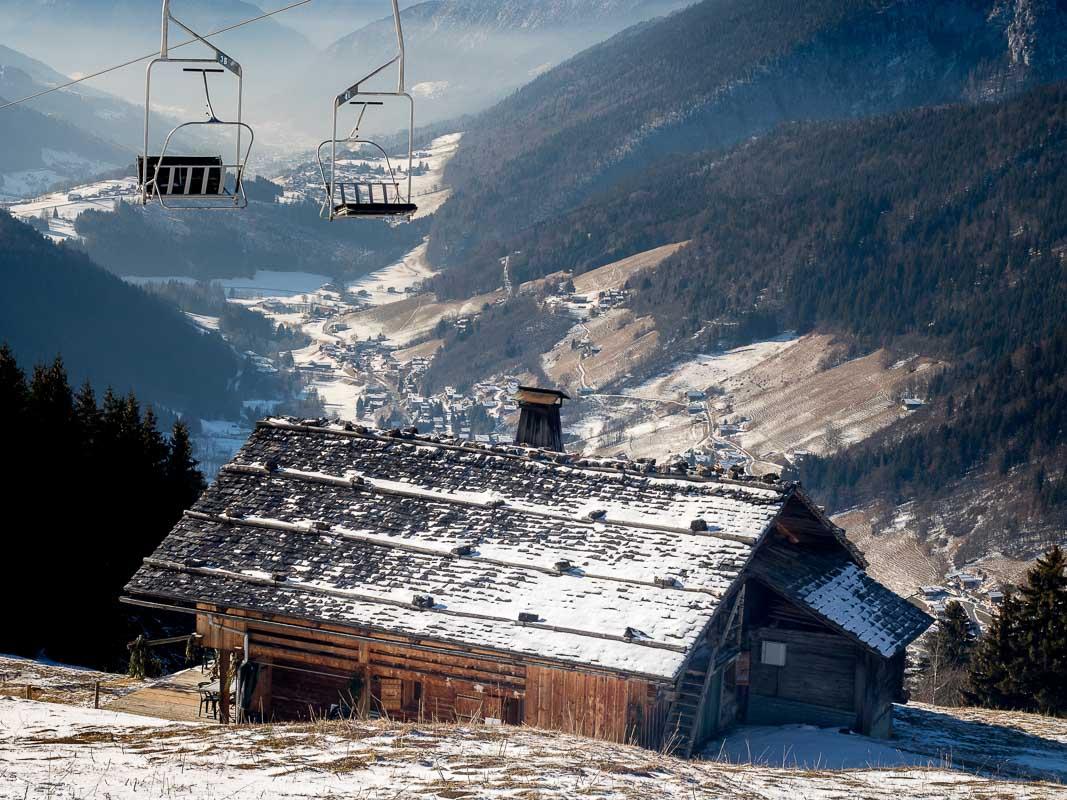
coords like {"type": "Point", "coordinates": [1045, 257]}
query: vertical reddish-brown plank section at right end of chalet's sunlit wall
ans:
{"type": "Point", "coordinates": [600, 707]}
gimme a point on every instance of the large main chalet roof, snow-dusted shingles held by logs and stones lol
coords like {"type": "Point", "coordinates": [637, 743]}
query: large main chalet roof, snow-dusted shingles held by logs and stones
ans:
{"type": "Point", "coordinates": [322, 523]}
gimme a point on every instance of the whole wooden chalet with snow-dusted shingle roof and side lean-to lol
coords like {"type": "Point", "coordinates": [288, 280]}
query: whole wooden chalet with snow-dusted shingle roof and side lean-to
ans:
{"type": "Point", "coordinates": [348, 570]}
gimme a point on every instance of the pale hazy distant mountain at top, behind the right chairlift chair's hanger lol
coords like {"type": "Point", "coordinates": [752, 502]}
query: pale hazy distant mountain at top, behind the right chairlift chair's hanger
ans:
{"type": "Point", "coordinates": [466, 55]}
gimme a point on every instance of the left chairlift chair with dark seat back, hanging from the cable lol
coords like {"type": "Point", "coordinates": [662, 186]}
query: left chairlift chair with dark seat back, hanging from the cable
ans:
{"type": "Point", "coordinates": [190, 183]}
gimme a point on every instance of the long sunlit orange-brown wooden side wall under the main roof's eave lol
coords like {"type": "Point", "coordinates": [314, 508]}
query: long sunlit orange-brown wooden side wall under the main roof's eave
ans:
{"type": "Point", "coordinates": [306, 670]}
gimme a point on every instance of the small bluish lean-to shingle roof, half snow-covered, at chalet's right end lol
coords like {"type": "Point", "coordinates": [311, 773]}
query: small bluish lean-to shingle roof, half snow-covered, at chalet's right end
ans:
{"type": "Point", "coordinates": [836, 589]}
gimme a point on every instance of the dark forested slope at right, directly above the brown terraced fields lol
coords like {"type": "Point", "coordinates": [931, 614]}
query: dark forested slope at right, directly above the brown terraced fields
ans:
{"type": "Point", "coordinates": [941, 231]}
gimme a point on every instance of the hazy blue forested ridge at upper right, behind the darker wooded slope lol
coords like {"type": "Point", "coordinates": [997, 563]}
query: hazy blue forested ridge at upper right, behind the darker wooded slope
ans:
{"type": "Point", "coordinates": [617, 107]}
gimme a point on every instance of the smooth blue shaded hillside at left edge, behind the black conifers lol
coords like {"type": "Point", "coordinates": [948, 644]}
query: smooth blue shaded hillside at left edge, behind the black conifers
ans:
{"type": "Point", "coordinates": [55, 301]}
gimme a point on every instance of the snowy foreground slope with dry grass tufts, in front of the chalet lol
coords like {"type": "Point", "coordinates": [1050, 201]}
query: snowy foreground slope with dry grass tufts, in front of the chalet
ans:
{"type": "Point", "coordinates": [51, 751]}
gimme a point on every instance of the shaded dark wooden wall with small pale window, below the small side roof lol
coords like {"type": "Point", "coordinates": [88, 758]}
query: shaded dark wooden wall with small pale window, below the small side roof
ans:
{"type": "Point", "coordinates": [817, 685]}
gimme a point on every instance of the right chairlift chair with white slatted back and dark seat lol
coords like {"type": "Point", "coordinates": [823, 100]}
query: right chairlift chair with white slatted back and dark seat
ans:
{"type": "Point", "coordinates": [390, 200]}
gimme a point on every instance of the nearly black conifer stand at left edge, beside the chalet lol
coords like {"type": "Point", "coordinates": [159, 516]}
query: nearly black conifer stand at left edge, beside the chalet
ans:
{"type": "Point", "coordinates": [91, 487]}
